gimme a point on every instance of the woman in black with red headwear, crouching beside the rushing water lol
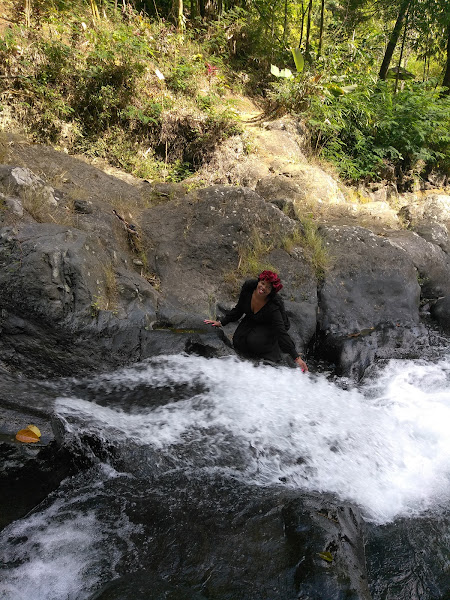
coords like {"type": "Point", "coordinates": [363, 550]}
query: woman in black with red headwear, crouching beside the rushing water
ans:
{"type": "Point", "coordinates": [262, 332]}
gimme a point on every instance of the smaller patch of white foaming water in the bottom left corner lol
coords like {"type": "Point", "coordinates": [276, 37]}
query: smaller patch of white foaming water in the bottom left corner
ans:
{"type": "Point", "coordinates": [62, 551]}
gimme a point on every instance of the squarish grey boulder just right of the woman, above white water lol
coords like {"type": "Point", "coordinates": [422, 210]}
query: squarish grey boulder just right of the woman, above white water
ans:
{"type": "Point", "coordinates": [369, 301]}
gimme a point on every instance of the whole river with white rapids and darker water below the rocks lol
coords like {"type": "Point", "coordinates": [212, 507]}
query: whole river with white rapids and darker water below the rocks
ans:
{"type": "Point", "coordinates": [160, 434]}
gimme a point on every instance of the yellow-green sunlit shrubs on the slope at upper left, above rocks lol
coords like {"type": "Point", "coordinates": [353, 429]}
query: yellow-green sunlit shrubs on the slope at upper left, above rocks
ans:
{"type": "Point", "coordinates": [95, 90]}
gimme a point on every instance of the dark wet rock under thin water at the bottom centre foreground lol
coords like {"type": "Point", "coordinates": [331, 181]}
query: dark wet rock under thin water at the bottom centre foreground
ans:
{"type": "Point", "coordinates": [236, 541]}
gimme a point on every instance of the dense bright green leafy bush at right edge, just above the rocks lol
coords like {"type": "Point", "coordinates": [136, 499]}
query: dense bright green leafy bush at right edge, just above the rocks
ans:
{"type": "Point", "coordinates": [360, 131]}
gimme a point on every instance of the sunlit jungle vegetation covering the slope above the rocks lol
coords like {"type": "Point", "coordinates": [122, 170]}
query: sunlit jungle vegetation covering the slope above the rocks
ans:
{"type": "Point", "coordinates": [149, 84]}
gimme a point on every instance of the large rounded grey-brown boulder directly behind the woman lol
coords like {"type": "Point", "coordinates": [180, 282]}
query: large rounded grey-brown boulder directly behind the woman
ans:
{"type": "Point", "coordinates": [196, 247]}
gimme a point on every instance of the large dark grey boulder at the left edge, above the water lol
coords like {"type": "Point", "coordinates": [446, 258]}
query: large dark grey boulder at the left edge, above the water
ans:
{"type": "Point", "coordinates": [70, 303]}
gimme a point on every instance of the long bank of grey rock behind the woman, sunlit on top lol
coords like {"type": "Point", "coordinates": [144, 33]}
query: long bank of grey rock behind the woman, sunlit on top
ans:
{"type": "Point", "coordinates": [86, 294]}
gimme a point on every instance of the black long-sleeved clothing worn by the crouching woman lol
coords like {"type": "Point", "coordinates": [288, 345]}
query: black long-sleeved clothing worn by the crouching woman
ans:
{"type": "Point", "coordinates": [261, 334]}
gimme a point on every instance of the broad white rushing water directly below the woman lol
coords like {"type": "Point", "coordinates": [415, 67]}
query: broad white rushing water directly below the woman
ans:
{"type": "Point", "coordinates": [385, 446]}
